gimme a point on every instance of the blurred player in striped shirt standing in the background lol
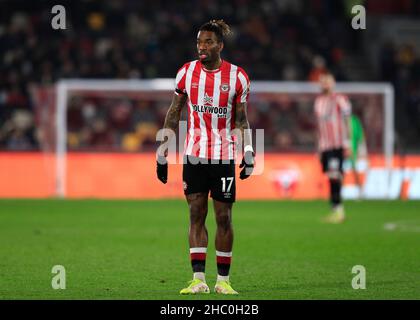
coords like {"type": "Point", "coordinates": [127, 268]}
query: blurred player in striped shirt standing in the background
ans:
{"type": "Point", "coordinates": [332, 113]}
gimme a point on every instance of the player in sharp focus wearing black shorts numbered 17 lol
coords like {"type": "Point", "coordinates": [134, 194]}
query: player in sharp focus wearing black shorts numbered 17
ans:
{"type": "Point", "coordinates": [216, 93]}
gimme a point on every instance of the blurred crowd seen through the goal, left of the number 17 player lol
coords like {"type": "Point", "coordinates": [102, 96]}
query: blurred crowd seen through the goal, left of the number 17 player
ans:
{"type": "Point", "coordinates": [114, 124]}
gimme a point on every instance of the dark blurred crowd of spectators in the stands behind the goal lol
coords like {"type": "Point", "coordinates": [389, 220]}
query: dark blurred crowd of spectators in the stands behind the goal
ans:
{"type": "Point", "coordinates": [130, 39]}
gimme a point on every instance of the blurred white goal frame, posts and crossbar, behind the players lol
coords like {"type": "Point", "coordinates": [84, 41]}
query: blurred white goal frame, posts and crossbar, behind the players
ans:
{"type": "Point", "coordinates": [260, 91]}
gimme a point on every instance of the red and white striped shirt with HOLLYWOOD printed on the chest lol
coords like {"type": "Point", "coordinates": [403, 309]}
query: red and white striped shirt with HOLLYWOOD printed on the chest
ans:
{"type": "Point", "coordinates": [212, 98]}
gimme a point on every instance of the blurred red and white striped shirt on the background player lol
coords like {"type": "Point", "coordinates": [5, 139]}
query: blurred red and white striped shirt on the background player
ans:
{"type": "Point", "coordinates": [332, 112]}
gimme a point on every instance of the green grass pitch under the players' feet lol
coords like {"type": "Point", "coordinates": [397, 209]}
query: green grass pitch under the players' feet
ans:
{"type": "Point", "coordinates": [139, 250]}
